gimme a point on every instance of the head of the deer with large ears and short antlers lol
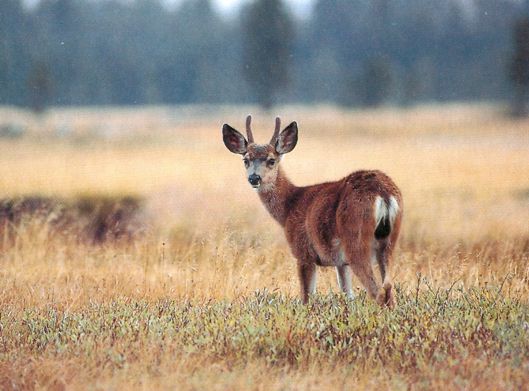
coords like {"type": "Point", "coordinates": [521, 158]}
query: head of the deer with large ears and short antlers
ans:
{"type": "Point", "coordinates": [261, 160]}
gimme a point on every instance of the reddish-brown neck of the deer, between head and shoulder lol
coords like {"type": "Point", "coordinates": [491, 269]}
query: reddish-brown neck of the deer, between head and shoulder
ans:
{"type": "Point", "coordinates": [275, 197]}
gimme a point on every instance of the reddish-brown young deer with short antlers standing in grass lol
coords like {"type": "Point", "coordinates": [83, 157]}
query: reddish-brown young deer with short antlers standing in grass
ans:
{"type": "Point", "coordinates": [348, 224]}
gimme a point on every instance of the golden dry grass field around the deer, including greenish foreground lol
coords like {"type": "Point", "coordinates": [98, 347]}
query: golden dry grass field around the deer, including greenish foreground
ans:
{"type": "Point", "coordinates": [204, 295]}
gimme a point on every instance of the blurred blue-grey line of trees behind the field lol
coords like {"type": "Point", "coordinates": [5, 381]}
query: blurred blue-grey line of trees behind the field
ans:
{"type": "Point", "coordinates": [350, 52]}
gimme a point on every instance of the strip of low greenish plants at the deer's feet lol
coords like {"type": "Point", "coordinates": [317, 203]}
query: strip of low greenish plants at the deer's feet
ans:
{"type": "Point", "coordinates": [424, 329]}
